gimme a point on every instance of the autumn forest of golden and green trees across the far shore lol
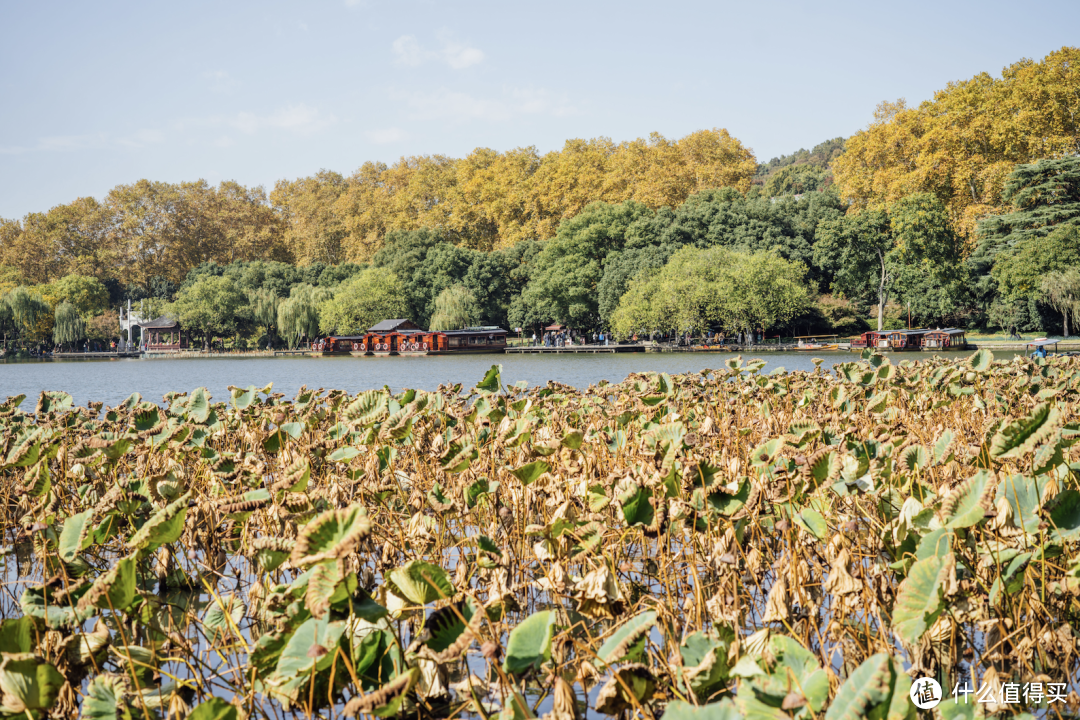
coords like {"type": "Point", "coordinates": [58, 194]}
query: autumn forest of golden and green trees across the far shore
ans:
{"type": "Point", "coordinates": [963, 211]}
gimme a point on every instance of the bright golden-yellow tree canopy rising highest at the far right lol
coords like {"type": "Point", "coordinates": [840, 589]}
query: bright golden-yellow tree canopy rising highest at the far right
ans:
{"type": "Point", "coordinates": [963, 144]}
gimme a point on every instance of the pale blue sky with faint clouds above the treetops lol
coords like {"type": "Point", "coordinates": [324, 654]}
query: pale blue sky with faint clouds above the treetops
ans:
{"type": "Point", "coordinates": [94, 96]}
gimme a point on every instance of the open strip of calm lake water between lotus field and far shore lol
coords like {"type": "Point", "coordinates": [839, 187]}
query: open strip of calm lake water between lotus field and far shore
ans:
{"type": "Point", "coordinates": [111, 382]}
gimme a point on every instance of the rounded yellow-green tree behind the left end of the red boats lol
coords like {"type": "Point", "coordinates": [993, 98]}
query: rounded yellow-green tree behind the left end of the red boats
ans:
{"type": "Point", "coordinates": [362, 302]}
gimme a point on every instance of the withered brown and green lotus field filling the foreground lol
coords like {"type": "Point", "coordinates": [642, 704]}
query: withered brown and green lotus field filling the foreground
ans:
{"type": "Point", "coordinates": [705, 547]}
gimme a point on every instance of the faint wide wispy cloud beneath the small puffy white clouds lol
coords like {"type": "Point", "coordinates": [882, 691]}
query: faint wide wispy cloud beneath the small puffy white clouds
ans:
{"type": "Point", "coordinates": [515, 103]}
